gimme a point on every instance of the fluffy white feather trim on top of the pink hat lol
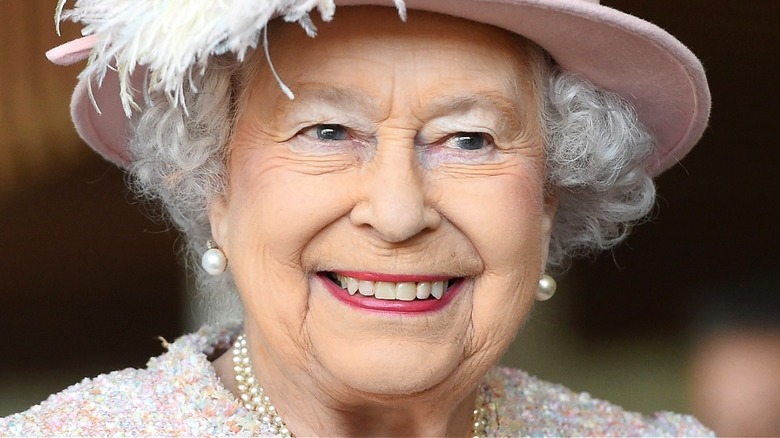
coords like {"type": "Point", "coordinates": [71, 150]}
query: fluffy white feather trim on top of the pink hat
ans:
{"type": "Point", "coordinates": [174, 37]}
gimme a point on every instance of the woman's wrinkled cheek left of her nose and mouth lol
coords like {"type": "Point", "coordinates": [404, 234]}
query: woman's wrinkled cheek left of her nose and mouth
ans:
{"type": "Point", "coordinates": [275, 210]}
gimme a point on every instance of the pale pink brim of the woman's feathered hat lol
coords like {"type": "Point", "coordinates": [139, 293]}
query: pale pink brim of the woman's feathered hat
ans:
{"type": "Point", "coordinates": [615, 51]}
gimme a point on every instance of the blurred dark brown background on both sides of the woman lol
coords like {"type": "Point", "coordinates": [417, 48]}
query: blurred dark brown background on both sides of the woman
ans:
{"type": "Point", "coordinates": [683, 316]}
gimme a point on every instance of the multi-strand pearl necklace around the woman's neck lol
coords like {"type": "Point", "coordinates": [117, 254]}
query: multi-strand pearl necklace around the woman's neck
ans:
{"type": "Point", "coordinates": [254, 398]}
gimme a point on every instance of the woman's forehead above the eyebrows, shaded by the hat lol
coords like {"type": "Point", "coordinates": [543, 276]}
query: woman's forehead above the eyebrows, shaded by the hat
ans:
{"type": "Point", "coordinates": [369, 55]}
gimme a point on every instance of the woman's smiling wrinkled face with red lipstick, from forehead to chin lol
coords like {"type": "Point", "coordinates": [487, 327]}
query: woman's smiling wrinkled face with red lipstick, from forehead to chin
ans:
{"type": "Point", "coordinates": [386, 229]}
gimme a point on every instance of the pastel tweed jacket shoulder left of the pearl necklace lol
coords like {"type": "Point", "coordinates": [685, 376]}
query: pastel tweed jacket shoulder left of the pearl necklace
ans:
{"type": "Point", "coordinates": [177, 394]}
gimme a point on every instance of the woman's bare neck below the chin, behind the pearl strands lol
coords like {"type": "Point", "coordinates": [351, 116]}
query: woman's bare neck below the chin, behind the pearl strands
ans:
{"type": "Point", "coordinates": [311, 406]}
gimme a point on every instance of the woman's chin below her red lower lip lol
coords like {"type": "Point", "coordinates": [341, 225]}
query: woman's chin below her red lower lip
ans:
{"type": "Point", "coordinates": [386, 353]}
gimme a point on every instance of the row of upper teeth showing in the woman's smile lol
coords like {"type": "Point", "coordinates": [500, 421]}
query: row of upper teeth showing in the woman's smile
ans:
{"type": "Point", "coordinates": [385, 290]}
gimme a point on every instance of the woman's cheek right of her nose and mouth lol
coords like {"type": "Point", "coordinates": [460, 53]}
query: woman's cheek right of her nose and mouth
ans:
{"type": "Point", "coordinates": [501, 217]}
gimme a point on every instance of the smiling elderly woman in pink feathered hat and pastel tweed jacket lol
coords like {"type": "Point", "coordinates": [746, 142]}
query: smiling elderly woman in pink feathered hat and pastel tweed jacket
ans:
{"type": "Point", "coordinates": [384, 200]}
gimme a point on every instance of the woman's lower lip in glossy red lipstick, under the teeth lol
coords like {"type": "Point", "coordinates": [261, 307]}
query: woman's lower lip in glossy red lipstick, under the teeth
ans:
{"type": "Point", "coordinates": [392, 306]}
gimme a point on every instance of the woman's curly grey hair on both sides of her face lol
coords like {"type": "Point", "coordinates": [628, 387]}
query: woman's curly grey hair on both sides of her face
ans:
{"type": "Point", "coordinates": [595, 154]}
